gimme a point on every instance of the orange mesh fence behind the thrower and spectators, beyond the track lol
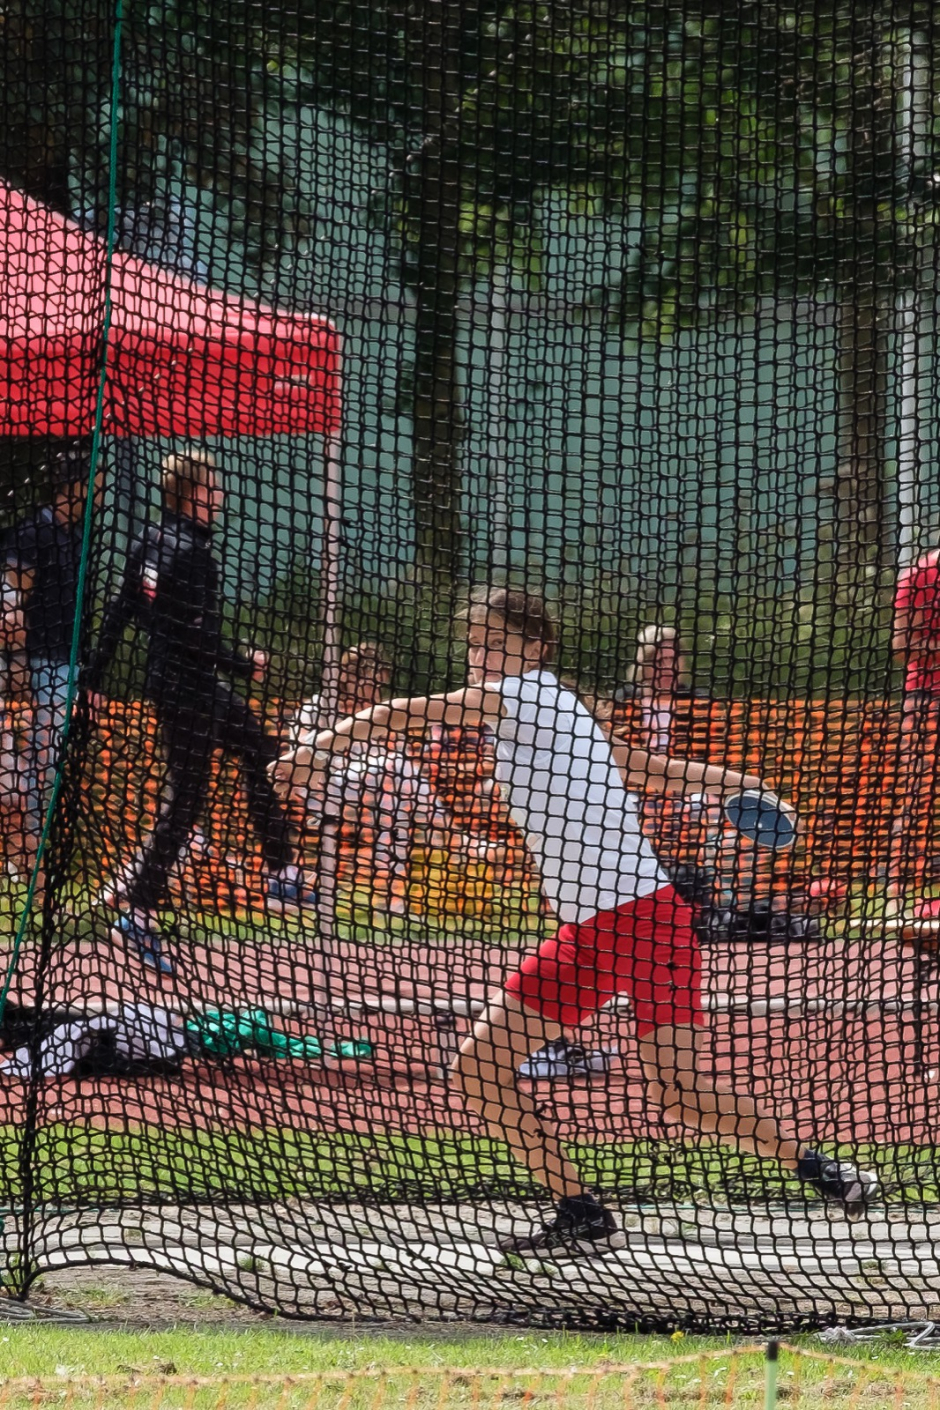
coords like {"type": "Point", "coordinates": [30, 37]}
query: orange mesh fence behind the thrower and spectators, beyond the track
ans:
{"type": "Point", "coordinates": [839, 762]}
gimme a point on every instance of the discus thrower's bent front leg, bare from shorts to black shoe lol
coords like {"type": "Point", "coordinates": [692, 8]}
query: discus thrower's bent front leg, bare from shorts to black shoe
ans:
{"type": "Point", "coordinates": [486, 1072]}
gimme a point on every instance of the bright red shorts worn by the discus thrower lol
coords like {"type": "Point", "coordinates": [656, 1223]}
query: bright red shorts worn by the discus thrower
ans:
{"type": "Point", "coordinates": [646, 950]}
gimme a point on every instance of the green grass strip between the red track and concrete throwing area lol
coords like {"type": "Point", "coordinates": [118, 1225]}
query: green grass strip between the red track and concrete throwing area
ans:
{"type": "Point", "coordinates": [78, 1163]}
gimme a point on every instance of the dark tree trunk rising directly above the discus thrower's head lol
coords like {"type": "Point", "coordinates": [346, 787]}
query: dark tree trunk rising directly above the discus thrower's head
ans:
{"type": "Point", "coordinates": [433, 214]}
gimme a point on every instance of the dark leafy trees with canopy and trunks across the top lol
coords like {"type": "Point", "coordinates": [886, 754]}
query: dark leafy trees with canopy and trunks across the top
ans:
{"type": "Point", "coordinates": [748, 152]}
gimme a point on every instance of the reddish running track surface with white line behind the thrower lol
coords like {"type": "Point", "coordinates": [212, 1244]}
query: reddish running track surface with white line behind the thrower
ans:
{"type": "Point", "coordinates": [865, 1078]}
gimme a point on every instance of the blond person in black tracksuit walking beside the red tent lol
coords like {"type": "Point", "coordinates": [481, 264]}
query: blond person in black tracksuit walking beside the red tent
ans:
{"type": "Point", "coordinates": [171, 590]}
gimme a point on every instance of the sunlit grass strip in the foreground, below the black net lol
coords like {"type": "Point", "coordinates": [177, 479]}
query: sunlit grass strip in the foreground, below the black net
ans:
{"type": "Point", "coordinates": [376, 1373]}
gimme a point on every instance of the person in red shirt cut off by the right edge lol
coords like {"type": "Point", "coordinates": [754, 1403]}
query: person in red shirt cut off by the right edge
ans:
{"type": "Point", "coordinates": [917, 645]}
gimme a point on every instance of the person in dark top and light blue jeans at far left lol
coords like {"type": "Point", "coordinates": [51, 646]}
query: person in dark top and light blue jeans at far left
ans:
{"type": "Point", "coordinates": [43, 555]}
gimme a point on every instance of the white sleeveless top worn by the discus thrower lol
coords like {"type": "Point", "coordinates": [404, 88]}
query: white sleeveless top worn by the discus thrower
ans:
{"type": "Point", "coordinates": [564, 790]}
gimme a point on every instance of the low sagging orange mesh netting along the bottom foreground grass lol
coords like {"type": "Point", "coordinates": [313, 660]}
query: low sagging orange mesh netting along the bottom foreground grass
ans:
{"type": "Point", "coordinates": [732, 1377]}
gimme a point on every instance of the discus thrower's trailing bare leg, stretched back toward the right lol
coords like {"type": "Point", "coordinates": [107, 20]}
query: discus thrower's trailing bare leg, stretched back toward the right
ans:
{"type": "Point", "coordinates": [670, 1058]}
